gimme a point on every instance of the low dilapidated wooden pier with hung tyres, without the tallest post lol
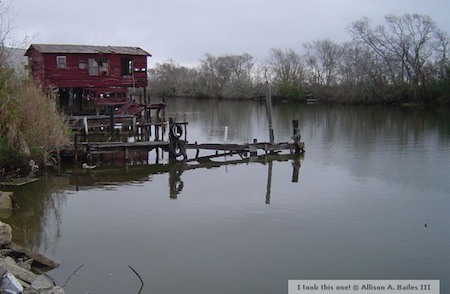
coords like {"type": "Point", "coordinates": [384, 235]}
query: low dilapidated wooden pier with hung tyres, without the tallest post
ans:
{"type": "Point", "coordinates": [136, 138]}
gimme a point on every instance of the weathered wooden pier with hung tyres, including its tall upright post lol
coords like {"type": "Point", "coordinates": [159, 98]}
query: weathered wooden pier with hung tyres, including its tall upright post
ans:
{"type": "Point", "coordinates": [101, 135]}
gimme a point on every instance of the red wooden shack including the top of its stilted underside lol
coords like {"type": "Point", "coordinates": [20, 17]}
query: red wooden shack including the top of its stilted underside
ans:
{"type": "Point", "coordinates": [103, 74]}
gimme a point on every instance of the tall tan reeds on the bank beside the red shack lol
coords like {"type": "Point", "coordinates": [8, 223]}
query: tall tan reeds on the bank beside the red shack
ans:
{"type": "Point", "coordinates": [31, 124]}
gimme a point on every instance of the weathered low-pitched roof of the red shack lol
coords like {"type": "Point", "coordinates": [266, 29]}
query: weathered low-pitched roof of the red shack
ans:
{"type": "Point", "coordinates": [88, 49]}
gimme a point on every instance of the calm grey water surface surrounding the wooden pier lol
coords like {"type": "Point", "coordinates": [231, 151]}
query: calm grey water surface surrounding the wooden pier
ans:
{"type": "Point", "coordinates": [370, 180]}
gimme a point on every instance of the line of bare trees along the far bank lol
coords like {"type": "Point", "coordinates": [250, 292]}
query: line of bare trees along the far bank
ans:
{"type": "Point", "coordinates": [404, 60]}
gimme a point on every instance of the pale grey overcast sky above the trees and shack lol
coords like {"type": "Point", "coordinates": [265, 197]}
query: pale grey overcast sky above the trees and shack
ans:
{"type": "Point", "coordinates": [184, 30]}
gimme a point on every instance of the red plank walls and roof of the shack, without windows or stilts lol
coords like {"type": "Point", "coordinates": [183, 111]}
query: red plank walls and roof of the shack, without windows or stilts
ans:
{"type": "Point", "coordinates": [76, 72]}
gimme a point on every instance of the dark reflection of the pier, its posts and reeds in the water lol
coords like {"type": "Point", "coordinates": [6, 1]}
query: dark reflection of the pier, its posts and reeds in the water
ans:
{"type": "Point", "coordinates": [36, 223]}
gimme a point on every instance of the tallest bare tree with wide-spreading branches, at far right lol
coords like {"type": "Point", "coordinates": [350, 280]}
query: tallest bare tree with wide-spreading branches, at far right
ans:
{"type": "Point", "coordinates": [407, 46]}
